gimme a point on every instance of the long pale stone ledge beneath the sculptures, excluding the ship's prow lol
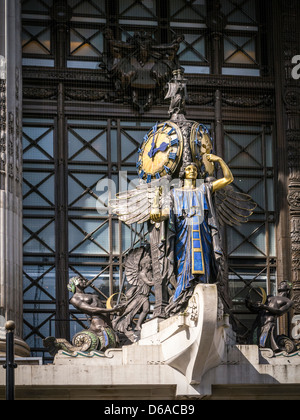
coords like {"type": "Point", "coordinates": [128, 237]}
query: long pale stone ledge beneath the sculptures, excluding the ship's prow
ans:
{"type": "Point", "coordinates": [241, 371]}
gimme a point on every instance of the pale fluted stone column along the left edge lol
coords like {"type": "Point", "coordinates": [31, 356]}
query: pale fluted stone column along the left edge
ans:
{"type": "Point", "coordinates": [11, 288]}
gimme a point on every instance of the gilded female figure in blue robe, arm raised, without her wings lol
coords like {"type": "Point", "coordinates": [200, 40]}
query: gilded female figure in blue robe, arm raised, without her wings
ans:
{"type": "Point", "coordinates": [193, 230]}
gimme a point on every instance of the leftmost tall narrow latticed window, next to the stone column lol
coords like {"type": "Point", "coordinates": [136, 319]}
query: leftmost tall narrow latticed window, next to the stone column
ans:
{"type": "Point", "coordinates": [39, 241]}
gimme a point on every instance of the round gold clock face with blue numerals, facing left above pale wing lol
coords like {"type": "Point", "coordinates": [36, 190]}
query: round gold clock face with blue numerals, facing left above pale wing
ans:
{"type": "Point", "coordinates": [160, 151]}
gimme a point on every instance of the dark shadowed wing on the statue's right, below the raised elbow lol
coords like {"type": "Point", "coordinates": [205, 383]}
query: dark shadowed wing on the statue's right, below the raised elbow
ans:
{"type": "Point", "coordinates": [232, 207]}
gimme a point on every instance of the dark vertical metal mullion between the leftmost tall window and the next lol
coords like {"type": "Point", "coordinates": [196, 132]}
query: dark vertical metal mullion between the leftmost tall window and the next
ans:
{"type": "Point", "coordinates": [60, 39]}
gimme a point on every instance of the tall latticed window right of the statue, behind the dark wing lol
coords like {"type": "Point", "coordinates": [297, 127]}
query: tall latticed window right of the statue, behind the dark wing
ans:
{"type": "Point", "coordinates": [251, 247]}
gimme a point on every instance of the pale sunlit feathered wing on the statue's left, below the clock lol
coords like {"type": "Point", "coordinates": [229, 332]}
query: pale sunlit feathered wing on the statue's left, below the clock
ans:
{"type": "Point", "coordinates": [134, 206]}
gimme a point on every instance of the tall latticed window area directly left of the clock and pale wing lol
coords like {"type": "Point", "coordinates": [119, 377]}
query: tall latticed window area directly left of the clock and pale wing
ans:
{"type": "Point", "coordinates": [94, 235]}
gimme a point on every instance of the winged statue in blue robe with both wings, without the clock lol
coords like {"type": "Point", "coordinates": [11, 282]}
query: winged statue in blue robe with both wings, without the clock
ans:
{"type": "Point", "coordinates": [189, 218]}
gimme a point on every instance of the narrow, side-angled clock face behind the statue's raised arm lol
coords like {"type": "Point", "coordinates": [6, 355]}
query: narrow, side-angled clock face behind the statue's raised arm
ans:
{"type": "Point", "coordinates": [201, 146]}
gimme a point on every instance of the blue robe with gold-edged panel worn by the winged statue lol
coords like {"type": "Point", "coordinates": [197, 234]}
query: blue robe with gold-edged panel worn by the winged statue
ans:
{"type": "Point", "coordinates": [196, 237]}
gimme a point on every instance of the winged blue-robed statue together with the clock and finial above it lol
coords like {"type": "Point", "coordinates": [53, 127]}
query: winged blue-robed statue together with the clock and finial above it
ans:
{"type": "Point", "coordinates": [184, 217]}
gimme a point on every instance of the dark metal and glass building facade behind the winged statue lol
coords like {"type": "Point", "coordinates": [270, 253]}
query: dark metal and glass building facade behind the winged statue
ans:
{"type": "Point", "coordinates": [69, 122]}
